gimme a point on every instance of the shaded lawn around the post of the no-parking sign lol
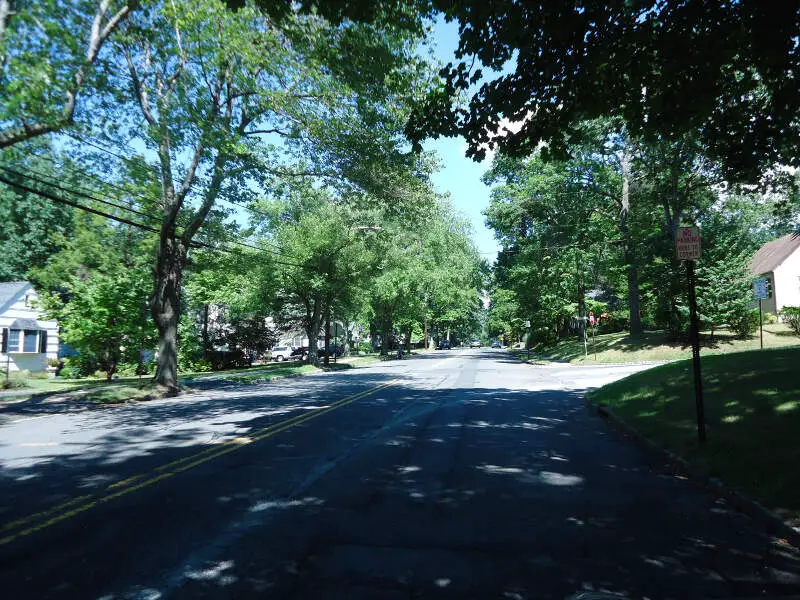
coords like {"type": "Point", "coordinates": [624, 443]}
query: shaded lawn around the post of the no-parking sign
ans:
{"type": "Point", "coordinates": [752, 402]}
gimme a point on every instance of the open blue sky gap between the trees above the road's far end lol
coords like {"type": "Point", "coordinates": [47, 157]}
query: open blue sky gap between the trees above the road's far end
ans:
{"type": "Point", "coordinates": [461, 176]}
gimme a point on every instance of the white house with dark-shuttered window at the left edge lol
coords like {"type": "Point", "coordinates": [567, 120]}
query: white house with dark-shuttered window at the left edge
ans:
{"type": "Point", "coordinates": [28, 340]}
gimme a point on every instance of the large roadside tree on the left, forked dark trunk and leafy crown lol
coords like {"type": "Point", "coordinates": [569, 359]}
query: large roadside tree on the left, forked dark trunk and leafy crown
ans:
{"type": "Point", "coordinates": [217, 87]}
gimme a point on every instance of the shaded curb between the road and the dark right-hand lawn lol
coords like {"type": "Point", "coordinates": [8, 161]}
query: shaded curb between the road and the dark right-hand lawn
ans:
{"type": "Point", "coordinates": [770, 520]}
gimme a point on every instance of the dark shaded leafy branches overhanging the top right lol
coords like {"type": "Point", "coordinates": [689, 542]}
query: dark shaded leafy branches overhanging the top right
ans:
{"type": "Point", "coordinates": [669, 69]}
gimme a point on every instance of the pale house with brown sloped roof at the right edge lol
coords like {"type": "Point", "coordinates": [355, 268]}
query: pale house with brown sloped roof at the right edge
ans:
{"type": "Point", "coordinates": [779, 261]}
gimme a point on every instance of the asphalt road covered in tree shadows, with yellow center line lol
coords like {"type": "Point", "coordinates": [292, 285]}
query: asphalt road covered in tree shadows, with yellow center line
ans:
{"type": "Point", "coordinates": [455, 475]}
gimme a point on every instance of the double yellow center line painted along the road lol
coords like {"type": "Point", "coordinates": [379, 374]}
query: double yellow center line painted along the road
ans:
{"type": "Point", "coordinates": [75, 506]}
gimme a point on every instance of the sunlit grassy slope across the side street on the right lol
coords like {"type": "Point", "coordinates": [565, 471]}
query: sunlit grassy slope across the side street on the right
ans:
{"type": "Point", "coordinates": [652, 346]}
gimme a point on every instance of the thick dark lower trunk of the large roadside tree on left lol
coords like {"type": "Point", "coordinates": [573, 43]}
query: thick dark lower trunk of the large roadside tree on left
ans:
{"type": "Point", "coordinates": [165, 307]}
